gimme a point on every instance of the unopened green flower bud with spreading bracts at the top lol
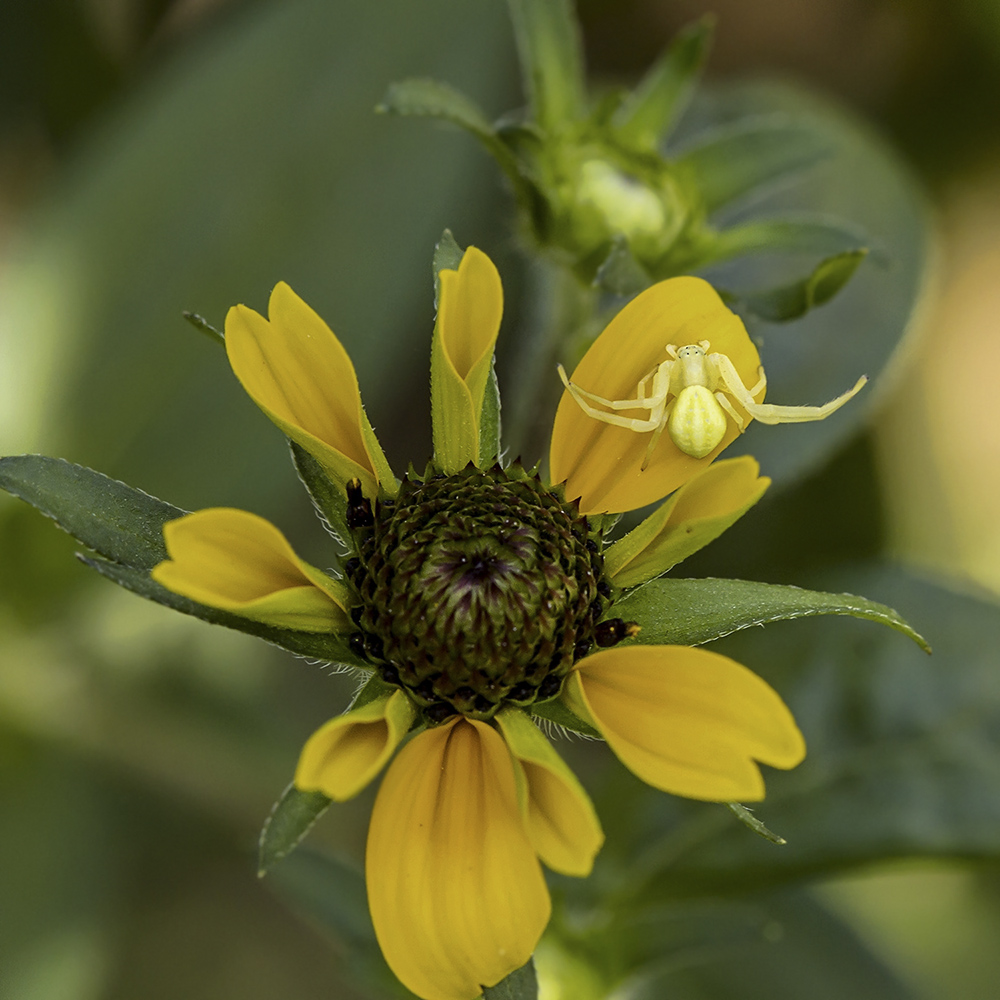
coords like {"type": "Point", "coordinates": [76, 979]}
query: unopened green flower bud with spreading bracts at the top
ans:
{"type": "Point", "coordinates": [598, 190]}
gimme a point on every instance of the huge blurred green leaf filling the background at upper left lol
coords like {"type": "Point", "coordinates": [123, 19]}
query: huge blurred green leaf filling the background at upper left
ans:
{"type": "Point", "coordinates": [247, 155]}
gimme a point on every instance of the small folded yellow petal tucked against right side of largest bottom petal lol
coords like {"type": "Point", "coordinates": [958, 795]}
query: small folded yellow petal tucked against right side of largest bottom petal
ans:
{"type": "Point", "coordinates": [561, 821]}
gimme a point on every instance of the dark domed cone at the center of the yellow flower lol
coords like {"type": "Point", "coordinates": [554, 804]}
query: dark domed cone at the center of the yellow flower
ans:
{"type": "Point", "coordinates": [477, 589]}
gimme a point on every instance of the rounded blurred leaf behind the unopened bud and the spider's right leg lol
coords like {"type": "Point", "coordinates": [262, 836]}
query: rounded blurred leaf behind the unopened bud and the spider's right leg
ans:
{"type": "Point", "coordinates": [815, 358]}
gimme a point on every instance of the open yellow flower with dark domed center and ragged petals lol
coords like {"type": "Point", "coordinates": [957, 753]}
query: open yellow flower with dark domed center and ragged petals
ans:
{"type": "Point", "coordinates": [476, 593]}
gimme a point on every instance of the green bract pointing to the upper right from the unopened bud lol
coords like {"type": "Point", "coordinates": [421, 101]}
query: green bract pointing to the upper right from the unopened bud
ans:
{"type": "Point", "coordinates": [647, 115]}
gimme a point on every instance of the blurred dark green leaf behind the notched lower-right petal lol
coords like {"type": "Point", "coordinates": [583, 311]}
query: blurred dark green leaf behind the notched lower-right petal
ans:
{"type": "Point", "coordinates": [902, 753]}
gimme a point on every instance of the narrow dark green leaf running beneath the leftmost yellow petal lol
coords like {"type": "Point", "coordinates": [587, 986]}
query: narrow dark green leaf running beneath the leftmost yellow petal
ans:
{"type": "Point", "coordinates": [316, 645]}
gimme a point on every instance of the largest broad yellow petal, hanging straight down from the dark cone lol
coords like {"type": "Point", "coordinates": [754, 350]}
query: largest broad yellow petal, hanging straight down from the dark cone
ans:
{"type": "Point", "coordinates": [456, 893]}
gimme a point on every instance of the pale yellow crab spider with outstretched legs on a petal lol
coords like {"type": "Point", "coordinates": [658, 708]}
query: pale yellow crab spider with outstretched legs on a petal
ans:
{"type": "Point", "coordinates": [688, 396]}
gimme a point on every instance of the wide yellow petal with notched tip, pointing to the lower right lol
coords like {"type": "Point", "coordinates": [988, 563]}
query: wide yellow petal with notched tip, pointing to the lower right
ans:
{"type": "Point", "coordinates": [685, 720]}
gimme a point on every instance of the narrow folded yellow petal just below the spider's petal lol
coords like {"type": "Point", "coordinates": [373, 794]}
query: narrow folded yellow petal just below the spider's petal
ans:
{"type": "Point", "coordinates": [695, 515]}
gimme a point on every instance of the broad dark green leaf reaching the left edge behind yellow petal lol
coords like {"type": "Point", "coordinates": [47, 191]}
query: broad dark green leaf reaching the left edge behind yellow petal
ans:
{"type": "Point", "coordinates": [119, 522]}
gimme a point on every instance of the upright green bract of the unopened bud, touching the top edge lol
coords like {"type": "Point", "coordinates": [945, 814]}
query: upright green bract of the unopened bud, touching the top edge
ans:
{"type": "Point", "coordinates": [551, 53]}
